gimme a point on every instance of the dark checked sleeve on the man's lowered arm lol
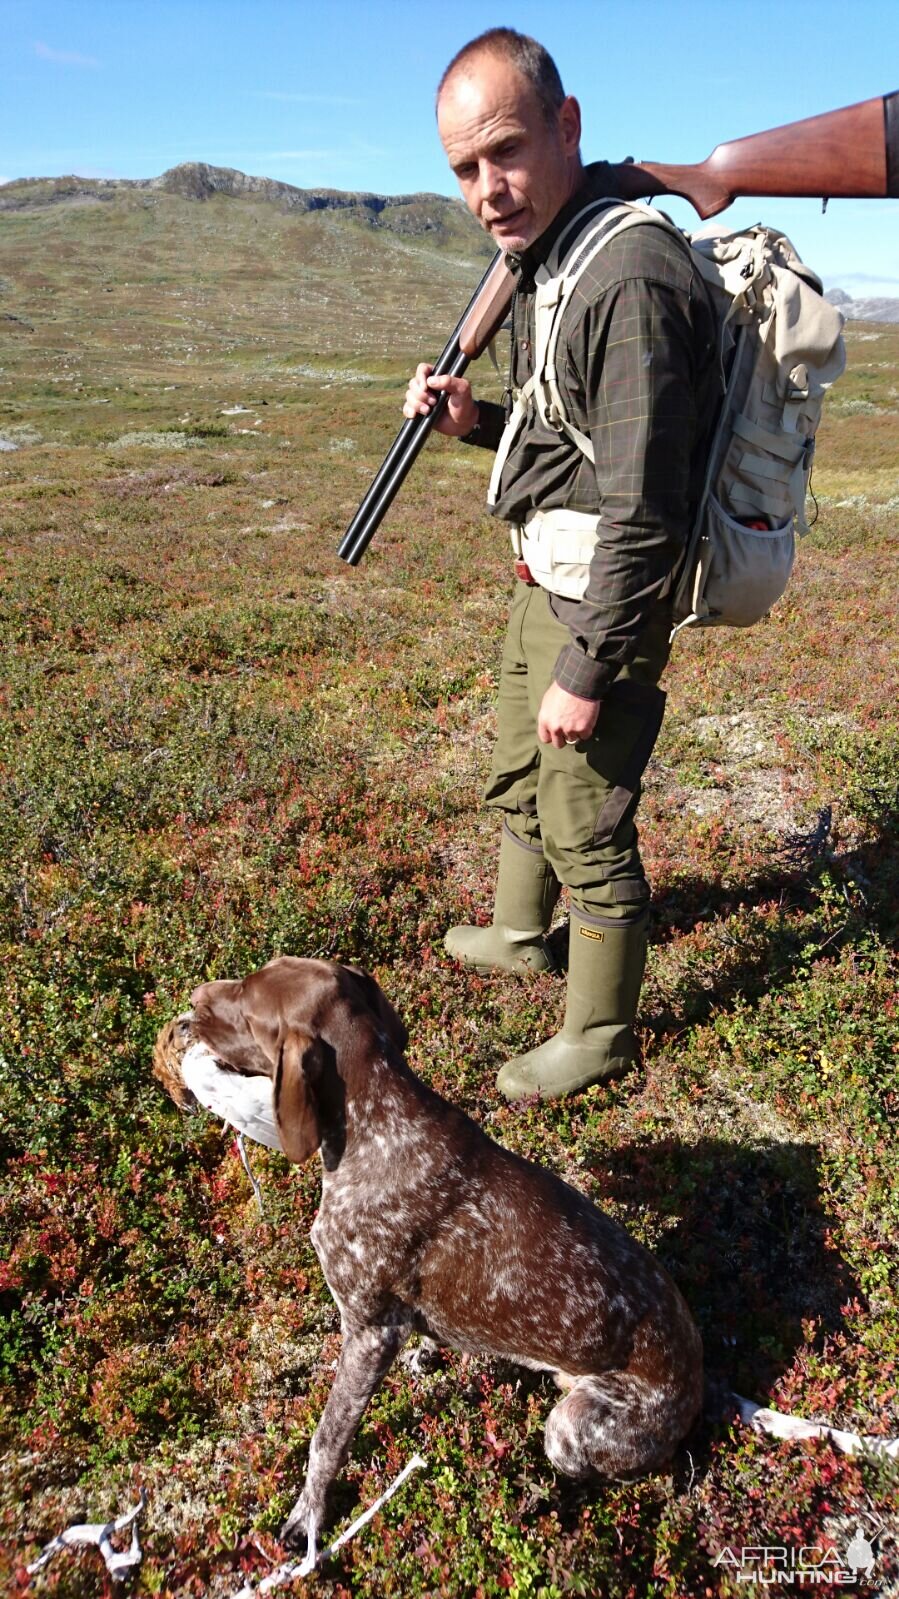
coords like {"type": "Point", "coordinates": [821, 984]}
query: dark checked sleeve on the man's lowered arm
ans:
{"type": "Point", "coordinates": [631, 365]}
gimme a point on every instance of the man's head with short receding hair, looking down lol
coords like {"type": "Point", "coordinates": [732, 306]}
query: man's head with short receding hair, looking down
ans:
{"type": "Point", "coordinates": [511, 135]}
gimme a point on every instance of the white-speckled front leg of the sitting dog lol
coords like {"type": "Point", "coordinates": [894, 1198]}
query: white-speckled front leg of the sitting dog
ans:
{"type": "Point", "coordinates": [367, 1355]}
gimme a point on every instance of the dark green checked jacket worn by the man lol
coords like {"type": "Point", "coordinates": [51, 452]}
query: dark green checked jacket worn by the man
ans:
{"type": "Point", "coordinates": [637, 359]}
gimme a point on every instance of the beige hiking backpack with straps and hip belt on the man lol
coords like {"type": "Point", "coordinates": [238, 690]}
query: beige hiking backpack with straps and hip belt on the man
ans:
{"type": "Point", "coordinates": [780, 346]}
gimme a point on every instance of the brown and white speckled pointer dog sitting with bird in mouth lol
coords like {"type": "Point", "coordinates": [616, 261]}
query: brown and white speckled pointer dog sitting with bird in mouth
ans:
{"type": "Point", "coordinates": [430, 1227]}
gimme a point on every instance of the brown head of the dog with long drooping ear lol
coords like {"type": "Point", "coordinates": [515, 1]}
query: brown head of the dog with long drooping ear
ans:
{"type": "Point", "coordinates": [311, 1027]}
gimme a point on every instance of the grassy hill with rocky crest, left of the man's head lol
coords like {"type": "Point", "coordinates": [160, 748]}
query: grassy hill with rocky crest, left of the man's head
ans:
{"type": "Point", "coordinates": [209, 266]}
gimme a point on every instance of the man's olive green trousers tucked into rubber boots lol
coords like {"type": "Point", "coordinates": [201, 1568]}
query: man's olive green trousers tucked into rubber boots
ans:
{"type": "Point", "coordinates": [578, 805]}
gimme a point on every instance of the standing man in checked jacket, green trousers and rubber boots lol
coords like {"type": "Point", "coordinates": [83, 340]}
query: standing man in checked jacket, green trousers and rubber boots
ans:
{"type": "Point", "coordinates": [580, 708]}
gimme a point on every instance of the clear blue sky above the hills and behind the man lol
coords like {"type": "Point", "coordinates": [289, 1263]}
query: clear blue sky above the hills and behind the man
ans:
{"type": "Point", "coordinates": [340, 94]}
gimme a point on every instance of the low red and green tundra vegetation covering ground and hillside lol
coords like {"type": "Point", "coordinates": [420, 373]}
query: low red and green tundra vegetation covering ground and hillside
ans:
{"type": "Point", "coordinates": [220, 744]}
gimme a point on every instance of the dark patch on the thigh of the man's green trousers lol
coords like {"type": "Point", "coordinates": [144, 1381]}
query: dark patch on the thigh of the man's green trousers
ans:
{"type": "Point", "coordinates": [621, 746]}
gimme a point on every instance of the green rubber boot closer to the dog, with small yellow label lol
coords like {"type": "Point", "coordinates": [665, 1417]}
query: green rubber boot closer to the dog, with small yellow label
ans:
{"type": "Point", "coordinates": [605, 970]}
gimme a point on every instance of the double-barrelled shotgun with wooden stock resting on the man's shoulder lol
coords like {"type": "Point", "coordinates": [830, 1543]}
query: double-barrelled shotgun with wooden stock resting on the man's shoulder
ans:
{"type": "Point", "coordinates": [850, 154]}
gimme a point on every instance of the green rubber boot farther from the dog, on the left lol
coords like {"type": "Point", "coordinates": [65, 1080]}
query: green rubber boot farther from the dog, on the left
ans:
{"type": "Point", "coordinates": [527, 891]}
